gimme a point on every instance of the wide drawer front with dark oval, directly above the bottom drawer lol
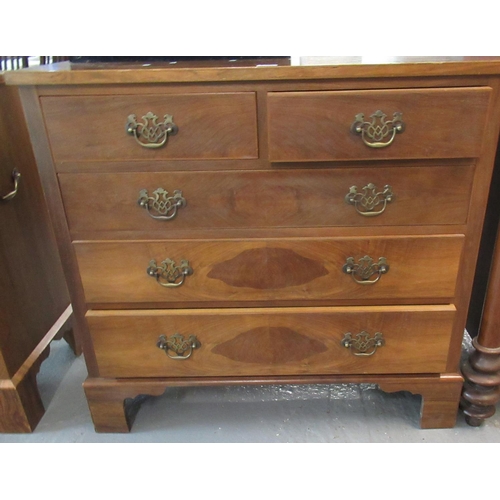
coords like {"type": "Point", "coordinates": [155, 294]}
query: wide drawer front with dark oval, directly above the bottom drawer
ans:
{"type": "Point", "coordinates": [266, 271]}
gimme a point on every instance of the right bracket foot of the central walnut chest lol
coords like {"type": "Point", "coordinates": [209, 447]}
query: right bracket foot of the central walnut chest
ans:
{"type": "Point", "coordinates": [440, 398]}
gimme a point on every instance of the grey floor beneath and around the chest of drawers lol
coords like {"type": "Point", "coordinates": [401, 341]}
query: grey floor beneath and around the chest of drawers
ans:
{"type": "Point", "coordinates": [262, 414]}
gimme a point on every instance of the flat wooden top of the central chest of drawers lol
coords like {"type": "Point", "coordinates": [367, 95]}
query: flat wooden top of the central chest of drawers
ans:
{"type": "Point", "coordinates": [305, 68]}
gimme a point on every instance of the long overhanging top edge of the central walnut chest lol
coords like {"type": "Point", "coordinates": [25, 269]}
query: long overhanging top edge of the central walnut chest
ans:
{"type": "Point", "coordinates": [63, 74]}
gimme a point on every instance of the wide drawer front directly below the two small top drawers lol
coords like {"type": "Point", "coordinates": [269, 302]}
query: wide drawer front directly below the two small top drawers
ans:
{"type": "Point", "coordinates": [291, 198]}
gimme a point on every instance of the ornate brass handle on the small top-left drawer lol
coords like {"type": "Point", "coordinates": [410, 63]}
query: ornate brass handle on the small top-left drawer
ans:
{"type": "Point", "coordinates": [149, 133]}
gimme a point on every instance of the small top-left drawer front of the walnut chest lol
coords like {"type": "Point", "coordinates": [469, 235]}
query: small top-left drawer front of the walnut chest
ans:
{"type": "Point", "coordinates": [209, 126]}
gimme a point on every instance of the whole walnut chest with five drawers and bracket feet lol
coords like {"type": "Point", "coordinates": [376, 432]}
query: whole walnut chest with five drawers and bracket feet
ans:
{"type": "Point", "coordinates": [262, 225]}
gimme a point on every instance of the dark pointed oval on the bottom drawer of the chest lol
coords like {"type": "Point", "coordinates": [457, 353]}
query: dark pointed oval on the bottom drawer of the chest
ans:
{"type": "Point", "coordinates": [269, 345]}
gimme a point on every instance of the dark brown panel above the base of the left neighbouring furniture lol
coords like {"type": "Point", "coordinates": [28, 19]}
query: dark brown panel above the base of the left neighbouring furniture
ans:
{"type": "Point", "coordinates": [33, 292]}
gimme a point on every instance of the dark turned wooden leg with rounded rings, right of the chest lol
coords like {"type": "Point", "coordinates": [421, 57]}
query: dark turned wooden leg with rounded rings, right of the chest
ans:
{"type": "Point", "coordinates": [482, 387]}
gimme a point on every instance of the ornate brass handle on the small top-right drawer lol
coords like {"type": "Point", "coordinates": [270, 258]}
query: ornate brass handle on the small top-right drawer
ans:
{"type": "Point", "coordinates": [374, 132]}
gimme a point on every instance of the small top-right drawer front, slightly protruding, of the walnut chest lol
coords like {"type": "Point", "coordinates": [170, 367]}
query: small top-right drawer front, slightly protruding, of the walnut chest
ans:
{"type": "Point", "coordinates": [433, 123]}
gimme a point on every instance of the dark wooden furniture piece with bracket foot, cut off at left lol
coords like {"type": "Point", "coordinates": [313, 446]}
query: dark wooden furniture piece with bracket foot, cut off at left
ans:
{"type": "Point", "coordinates": [33, 293]}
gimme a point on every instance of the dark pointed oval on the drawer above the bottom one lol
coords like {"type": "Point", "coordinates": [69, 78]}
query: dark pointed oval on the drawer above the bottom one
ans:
{"type": "Point", "coordinates": [267, 269]}
